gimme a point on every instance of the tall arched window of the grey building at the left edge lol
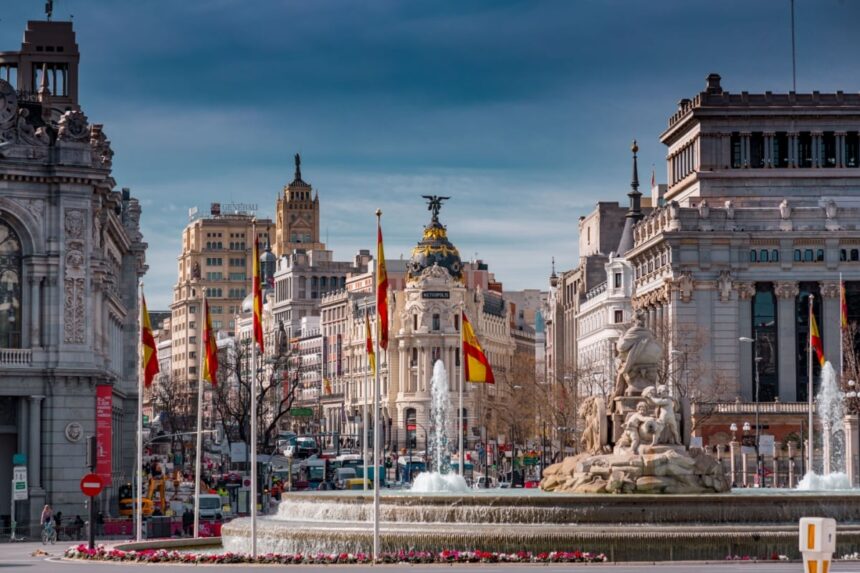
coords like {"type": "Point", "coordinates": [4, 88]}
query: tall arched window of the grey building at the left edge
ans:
{"type": "Point", "coordinates": [10, 287]}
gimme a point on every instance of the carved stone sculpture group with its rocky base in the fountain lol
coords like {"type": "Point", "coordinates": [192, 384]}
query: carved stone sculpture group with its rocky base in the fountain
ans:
{"type": "Point", "coordinates": [641, 445]}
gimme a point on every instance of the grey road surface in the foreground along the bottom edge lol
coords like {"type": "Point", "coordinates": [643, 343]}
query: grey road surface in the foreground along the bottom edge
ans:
{"type": "Point", "coordinates": [38, 558]}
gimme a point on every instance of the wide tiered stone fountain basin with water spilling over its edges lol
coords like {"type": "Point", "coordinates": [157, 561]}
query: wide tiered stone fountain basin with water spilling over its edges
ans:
{"type": "Point", "coordinates": [628, 527]}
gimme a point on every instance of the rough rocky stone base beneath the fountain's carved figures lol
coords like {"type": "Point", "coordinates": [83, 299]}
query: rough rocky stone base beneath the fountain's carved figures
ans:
{"type": "Point", "coordinates": [655, 469]}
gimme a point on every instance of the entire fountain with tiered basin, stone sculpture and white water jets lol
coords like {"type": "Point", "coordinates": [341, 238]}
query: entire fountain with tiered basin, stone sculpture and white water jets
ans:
{"type": "Point", "coordinates": [649, 456]}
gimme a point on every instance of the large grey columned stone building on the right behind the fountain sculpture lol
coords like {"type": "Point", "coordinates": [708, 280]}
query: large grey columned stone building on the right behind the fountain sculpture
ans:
{"type": "Point", "coordinates": [759, 214]}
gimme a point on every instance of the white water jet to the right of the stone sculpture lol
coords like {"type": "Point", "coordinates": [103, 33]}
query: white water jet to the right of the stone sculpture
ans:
{"type": "Point", "coordinates": [831, 414]}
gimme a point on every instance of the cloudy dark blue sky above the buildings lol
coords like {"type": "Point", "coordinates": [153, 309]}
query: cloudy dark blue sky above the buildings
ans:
{"type": "Point", "coordinates": [522, 111]}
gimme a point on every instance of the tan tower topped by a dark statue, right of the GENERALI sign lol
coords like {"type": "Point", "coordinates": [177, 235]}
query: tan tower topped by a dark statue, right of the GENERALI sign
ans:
{"type": "Point", "coordinates": [297, 223]}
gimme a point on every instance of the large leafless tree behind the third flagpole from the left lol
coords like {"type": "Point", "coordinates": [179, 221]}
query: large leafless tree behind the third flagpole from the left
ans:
{"type": "Point", "coordinates": [276, 386]}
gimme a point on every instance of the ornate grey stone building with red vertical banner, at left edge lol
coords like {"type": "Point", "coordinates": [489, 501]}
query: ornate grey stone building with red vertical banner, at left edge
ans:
{"type": "Point", "coordinates": [71, 256]}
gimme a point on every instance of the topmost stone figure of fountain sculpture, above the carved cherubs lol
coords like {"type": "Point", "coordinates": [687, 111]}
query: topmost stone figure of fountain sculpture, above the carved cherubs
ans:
{"type": "Point", "coordinates": [639, 353]}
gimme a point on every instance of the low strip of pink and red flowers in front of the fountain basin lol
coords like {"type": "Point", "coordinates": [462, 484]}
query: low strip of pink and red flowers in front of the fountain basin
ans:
{"type": "Point", "coordinates": [101, 553]}
